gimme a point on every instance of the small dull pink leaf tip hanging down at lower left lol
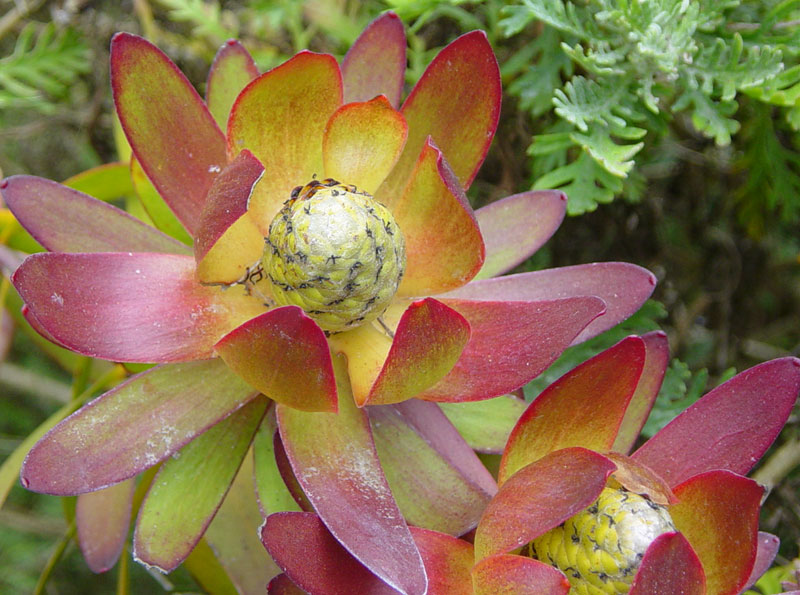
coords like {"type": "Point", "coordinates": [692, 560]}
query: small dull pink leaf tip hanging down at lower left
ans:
{"type": "Point", "coordinates": [102, 519]}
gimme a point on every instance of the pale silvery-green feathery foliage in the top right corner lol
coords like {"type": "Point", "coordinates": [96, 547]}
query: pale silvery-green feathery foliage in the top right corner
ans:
{"type": "Point", "coordinates": [644, 61]}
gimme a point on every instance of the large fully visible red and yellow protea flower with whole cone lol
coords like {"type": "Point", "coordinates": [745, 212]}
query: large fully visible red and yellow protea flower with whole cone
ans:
{"type": "Point", "coordinates": [323, 221]}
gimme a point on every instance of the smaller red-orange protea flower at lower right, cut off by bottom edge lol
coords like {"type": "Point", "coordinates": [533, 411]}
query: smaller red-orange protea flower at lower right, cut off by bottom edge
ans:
{"type": "Point", "coordinates": [574, 513]}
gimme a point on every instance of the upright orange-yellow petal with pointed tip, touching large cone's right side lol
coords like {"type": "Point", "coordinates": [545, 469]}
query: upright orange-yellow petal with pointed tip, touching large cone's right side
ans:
{"type": "Point", "coordinates": [444, 248]}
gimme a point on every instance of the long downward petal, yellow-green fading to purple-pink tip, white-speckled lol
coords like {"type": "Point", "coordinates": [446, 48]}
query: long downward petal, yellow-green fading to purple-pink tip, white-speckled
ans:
{"type": "Point", "coordinates": [334, 459]}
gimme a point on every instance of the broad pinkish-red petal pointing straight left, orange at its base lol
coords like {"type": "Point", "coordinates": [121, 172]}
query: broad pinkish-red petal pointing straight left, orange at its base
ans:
{"type": "Point", "coordinates": [132, 307]}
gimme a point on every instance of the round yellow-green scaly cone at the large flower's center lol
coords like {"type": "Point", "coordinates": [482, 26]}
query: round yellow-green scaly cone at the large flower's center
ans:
{"type": "Point", "coordinates": [335, 252]}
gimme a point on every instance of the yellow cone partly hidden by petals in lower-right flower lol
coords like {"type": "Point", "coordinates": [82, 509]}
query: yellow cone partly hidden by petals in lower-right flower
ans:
{"type": "Point", "coordinates": [601, 548]}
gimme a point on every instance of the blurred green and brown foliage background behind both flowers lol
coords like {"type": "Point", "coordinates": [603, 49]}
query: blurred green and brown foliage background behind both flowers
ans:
{"type": "Point", "coordinates": [673, 126]}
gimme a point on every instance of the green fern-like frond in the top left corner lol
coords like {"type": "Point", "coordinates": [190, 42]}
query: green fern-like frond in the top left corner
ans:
{"type": "Point", "coordinates": [41, 68]}
